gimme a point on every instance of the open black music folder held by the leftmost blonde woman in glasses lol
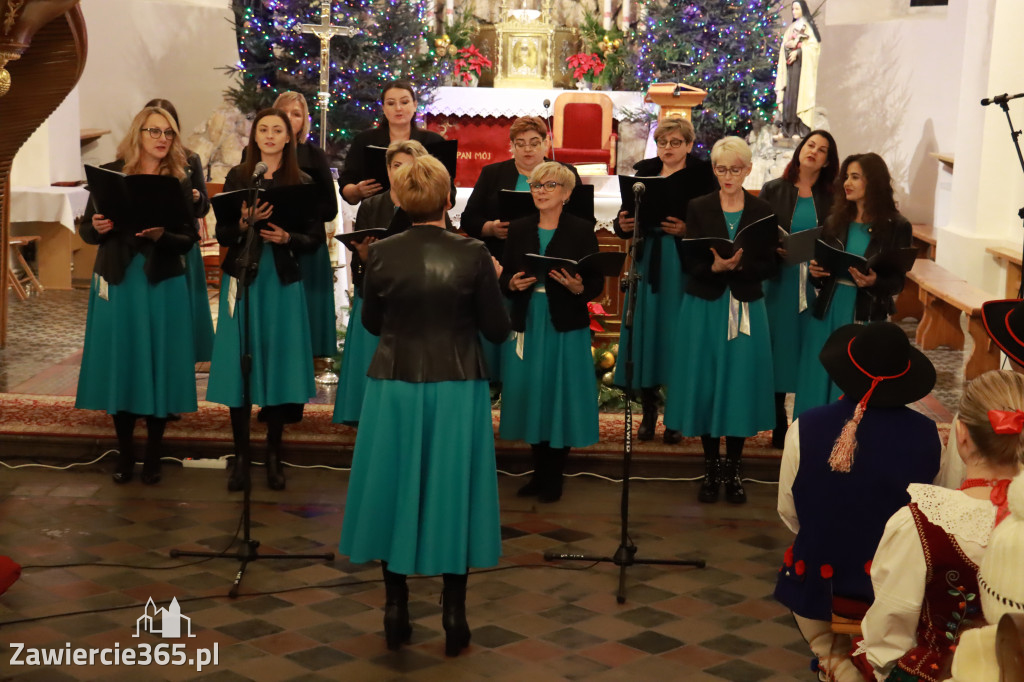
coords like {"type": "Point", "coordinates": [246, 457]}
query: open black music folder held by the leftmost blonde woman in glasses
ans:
{"type": "Point", "coordinates": [136, 203]}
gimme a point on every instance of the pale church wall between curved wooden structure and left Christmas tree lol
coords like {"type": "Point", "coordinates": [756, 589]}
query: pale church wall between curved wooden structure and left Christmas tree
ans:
{"type": "Point", "coordinates": [141, 50]}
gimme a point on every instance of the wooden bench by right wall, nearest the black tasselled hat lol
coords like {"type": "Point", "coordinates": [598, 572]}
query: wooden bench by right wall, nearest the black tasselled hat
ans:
{"type": "Point", "coordinates": [945, 296]}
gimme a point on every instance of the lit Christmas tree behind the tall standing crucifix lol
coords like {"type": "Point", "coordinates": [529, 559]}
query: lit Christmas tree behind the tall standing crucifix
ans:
{"type": "Point", "coordinates": [276, 56]}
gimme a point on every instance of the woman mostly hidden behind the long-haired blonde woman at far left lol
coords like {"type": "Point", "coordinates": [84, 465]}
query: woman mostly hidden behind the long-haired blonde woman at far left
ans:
{"type": "Point", "coordinates": [199, 297]}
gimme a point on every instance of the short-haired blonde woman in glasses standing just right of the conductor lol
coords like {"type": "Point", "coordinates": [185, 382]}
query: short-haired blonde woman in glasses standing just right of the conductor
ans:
{"type": "Point", "coordinates": [549, 395]}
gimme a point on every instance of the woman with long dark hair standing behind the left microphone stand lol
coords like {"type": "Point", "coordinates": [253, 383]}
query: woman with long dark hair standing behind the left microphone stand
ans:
{"type": "Point", "coordinates": [282, 377]}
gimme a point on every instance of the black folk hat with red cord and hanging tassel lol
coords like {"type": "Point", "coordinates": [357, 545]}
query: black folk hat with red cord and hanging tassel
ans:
{"type": "Point", "coordinates": [876, 366]}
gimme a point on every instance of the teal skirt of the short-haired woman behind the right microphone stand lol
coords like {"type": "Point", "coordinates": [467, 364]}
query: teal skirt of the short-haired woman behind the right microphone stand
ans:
{"type": "Point", "coordinates": [654, 320]}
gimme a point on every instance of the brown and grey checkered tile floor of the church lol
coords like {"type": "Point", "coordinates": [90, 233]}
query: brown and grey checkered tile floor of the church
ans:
{"type": "Point", "coordinates": [304, 620]}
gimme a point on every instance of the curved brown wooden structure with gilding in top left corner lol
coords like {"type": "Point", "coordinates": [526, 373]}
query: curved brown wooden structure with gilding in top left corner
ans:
{"type": "Point", "coordinates": [33, 83]}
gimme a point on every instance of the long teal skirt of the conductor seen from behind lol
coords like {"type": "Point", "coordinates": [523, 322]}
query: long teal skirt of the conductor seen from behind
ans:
{"type": "Point", "coordinates": [423, 492]}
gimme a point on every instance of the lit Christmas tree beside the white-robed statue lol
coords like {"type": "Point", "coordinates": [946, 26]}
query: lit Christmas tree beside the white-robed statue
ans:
{"type": "Point", "coordinates": [727, 48]}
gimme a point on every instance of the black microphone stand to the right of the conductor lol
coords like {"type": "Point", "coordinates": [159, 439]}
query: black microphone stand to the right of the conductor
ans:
{"type": "Point", "coordinates": [626, 555]}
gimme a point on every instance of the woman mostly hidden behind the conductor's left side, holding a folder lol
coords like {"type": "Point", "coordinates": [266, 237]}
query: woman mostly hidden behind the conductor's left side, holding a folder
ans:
{"type": "Point", "coordinates": [378, 211]}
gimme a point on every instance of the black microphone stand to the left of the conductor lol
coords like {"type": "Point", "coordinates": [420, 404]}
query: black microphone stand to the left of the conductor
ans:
{"type": "Point", "coordinates": [248, 264]}
